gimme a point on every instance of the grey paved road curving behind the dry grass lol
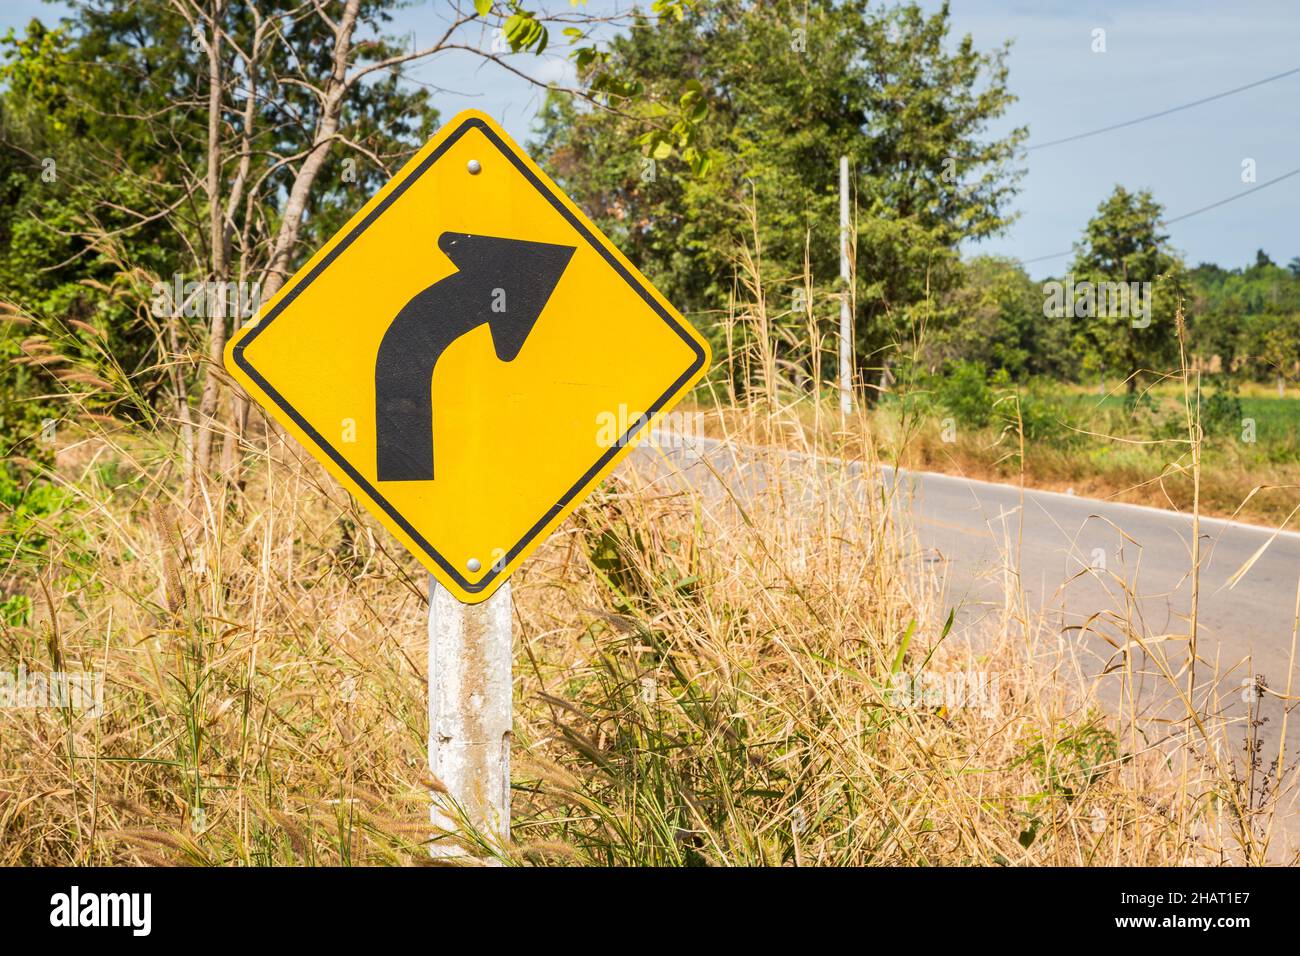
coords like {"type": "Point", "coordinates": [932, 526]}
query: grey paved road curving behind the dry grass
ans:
{"type": "Point", "coordinates": [1084, 557]}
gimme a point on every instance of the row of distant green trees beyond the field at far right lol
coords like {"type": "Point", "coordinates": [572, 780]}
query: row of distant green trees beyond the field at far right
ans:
{"type": "Point", "coordinates": [1245, 323]}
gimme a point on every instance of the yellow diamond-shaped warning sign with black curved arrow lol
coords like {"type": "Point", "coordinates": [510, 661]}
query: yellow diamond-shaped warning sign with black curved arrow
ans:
{"type": "Point", "coordinates": [456, 356]}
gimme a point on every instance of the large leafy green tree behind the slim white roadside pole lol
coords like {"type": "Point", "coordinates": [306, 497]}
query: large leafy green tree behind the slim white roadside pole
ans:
{"type": "Point", "coordinates": [788, 88]}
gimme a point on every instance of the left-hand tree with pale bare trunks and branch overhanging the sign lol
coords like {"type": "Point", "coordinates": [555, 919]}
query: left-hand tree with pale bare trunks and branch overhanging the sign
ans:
{"type": "Point", "coordinates": [211, 140]}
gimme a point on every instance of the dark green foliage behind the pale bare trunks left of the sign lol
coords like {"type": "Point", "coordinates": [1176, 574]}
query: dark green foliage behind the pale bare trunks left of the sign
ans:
{"type": "Point", "coordinates": [98, 163]}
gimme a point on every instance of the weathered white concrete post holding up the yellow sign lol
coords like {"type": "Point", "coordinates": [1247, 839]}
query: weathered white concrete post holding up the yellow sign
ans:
{"type": "Point", "coordinates": [470, 713]}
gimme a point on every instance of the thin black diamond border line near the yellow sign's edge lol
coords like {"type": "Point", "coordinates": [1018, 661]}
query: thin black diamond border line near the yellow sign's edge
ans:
{"type": "Point", "coordinates": [696, 366]}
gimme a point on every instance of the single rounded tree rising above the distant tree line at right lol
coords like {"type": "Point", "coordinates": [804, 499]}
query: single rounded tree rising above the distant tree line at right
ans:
{"type": "Point", "coordinates": [1125, 289]}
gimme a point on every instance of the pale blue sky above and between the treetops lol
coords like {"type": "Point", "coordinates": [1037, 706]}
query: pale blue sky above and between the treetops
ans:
{"type": "Point", "coordinates": [1159, 55]}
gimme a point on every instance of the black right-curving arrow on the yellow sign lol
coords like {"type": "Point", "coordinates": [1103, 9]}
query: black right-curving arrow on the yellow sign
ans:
{"type": "Point", "coordinates": [504, 283]}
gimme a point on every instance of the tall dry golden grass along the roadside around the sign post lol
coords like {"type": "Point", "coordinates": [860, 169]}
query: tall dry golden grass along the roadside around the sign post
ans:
{"type": "Point", "coordinates": [709, 659]}
